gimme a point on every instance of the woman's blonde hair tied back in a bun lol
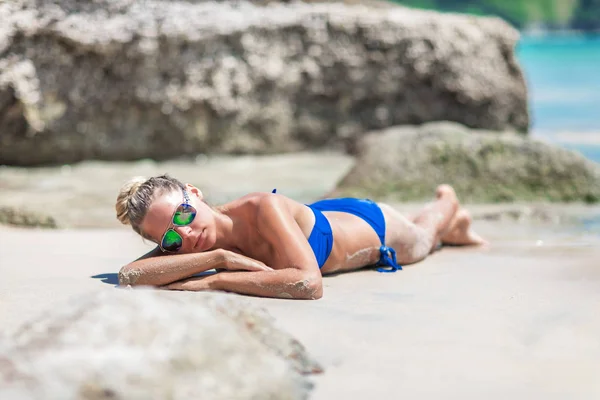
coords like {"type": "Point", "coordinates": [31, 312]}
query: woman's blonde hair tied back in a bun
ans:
{"type": "Point", "coordinates": [136, 196]}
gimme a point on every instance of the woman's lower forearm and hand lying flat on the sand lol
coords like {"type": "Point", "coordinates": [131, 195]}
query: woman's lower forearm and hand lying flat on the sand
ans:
{"type": "Point", "coordinates": [290, 283]}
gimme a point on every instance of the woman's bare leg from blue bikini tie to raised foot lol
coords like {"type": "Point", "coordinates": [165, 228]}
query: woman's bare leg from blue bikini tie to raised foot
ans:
{"type": "Point", "coordinates": [414, 239]}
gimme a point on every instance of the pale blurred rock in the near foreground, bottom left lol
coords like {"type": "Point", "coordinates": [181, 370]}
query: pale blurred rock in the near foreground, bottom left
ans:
{"type": "Point", "coordinates": [142, 344]}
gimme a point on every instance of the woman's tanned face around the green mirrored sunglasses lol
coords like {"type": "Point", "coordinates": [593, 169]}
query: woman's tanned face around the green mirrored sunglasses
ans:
{"type": "Point", "coordinates": [198, 236]}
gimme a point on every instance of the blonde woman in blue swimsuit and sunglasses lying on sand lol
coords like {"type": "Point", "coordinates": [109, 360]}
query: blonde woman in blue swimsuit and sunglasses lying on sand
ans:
{"type": "Point", "coordinates": [268, 245]}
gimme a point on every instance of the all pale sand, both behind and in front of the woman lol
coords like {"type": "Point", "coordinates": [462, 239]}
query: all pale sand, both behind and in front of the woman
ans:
{"type": "Point", "coordinates": [518, 319]}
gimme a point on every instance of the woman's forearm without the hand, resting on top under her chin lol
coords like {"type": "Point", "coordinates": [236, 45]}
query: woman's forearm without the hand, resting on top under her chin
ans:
{"type": "Point", "coordinates": [159, 271]}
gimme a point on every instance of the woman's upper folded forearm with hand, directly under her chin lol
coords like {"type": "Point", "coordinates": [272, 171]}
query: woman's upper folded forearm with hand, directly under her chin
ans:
{"type": "Point", "coordinates": [158, 269]}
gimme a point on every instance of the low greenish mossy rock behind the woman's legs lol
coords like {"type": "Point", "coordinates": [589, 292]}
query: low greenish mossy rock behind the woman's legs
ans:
{"type": "Point", "coordinates": [407, 163]}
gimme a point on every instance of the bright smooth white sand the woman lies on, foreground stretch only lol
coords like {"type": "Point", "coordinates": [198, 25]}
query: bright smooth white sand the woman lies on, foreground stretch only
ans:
{"type": "Point", "coordinates": [521, 319]}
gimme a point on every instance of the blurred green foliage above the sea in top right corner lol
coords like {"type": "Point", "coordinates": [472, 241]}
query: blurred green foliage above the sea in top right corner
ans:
{"type": "Point", "coordinates": [578, 14]}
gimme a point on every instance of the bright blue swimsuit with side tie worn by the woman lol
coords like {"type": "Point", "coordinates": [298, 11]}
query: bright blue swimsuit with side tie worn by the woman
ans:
{"type": "Point", "coordinates": [321, 237]}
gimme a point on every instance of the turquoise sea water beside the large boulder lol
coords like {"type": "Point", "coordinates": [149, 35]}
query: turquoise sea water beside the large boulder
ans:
{"type": "Point", "coordinates": [563, 77]}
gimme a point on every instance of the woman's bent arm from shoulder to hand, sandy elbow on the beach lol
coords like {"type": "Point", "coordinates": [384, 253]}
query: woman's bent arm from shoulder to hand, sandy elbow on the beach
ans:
{"type": "Point", "coordinates": [296, 273]}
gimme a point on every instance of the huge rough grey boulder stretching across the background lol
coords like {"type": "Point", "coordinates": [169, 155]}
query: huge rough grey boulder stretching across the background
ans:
{"type": "Point", "coordinates": [123, 80]}
